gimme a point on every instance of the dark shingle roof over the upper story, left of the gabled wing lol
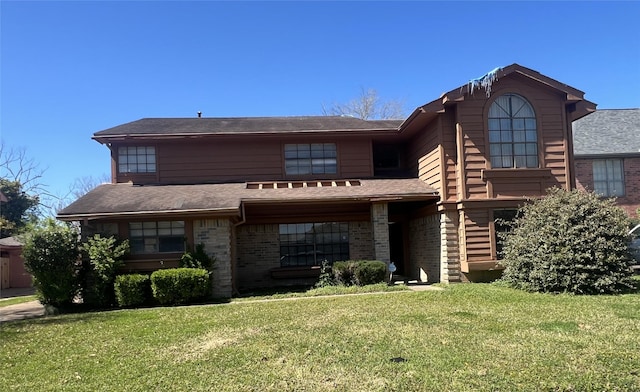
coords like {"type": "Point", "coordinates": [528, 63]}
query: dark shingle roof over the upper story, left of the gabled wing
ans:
{"type": "Point", "coordinates": [244, 125]}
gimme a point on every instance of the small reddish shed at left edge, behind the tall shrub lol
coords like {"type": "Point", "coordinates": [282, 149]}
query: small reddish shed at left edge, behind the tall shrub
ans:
{"type": "Point", "coordinates": [12, 271]}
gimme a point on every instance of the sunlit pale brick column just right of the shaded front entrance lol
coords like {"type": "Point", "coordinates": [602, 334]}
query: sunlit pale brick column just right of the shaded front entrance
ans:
{"type": "Point", "coordinates": [449, 251]}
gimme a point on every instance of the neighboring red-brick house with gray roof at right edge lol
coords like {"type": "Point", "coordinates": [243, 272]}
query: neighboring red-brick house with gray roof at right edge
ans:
{"type": "Point", "coordinates": [607, 155]}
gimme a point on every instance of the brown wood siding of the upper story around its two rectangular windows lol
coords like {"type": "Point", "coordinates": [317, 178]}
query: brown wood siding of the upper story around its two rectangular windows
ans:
{"type": "Point", "coordinates": [248, 158]}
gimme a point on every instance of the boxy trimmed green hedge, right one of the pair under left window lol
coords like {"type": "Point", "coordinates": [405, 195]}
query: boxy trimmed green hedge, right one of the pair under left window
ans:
{"type": "Point", "coordinates": [180, 285]}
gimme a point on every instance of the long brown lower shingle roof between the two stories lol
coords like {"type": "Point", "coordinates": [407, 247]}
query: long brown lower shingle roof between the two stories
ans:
{"type": "Point", "coordinates": [225, 199]}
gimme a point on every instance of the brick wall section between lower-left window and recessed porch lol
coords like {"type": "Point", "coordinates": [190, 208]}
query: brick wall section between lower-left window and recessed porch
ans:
{"type": "Point", "coordinates": [216, 235]}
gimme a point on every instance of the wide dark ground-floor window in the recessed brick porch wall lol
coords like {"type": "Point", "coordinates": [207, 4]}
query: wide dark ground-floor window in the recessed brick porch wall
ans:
{"type": "Point", "coordinates": [311, 243]}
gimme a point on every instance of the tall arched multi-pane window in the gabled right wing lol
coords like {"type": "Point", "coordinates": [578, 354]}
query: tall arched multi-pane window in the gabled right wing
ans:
{"type": "Point", "coordinates": [513, 136]}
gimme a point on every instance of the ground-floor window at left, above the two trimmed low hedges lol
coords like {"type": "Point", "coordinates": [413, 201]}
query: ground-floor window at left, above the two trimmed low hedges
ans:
{"type": "Point", "coordinates": [156, 237]}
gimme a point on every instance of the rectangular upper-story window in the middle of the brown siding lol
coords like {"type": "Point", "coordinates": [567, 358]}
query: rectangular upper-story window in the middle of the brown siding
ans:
{"type": "Point", "coordinates": [316, 158]}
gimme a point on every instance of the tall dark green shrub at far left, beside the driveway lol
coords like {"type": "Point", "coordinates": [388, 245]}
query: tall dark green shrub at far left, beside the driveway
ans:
{"type": "Point", "coordinates": [51, 253]}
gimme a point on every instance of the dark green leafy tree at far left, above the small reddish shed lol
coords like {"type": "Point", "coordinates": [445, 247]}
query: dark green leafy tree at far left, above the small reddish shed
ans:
{"type": "Point", "coordinates": [18, 210]}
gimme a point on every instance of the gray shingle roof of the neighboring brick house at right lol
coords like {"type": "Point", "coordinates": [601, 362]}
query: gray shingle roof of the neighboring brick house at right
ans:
{"type": "Point", "coordinates": [607, 132]}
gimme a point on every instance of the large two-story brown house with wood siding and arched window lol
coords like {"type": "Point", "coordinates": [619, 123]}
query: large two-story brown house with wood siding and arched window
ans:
{"type": "Point", "coordinates": [272, 197]}
